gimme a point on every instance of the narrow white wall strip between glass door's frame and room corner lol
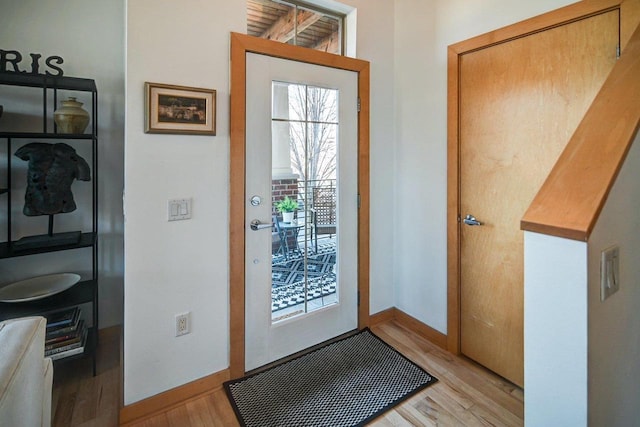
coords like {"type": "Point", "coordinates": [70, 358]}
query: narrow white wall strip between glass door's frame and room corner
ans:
{"type": "Point", "coordinates": [375, 44]}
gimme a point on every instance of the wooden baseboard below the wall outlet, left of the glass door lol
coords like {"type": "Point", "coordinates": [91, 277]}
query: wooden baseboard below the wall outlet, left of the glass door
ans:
{"type": "Point", "coordinates": [171, 398]}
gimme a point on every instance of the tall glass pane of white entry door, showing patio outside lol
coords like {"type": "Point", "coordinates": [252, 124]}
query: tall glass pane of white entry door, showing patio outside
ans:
{"type": "Point", "coordinates": [304, 164]}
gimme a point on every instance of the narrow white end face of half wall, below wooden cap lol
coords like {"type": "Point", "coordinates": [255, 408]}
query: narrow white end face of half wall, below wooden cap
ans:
{"type": "Point", "coordinates": [555, 331]}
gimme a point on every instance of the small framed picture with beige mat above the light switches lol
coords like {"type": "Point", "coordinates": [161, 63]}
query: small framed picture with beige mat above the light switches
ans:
{"type": "Point", "coordinates": [179, 109]}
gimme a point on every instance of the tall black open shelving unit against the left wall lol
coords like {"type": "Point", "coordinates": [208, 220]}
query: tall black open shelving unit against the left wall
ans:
{"type": "Point", "coordinates": [85, 292]}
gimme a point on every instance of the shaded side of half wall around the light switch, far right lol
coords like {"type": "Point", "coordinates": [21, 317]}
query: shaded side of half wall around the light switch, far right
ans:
{"type": "Point", "coordinates": [614, 324]}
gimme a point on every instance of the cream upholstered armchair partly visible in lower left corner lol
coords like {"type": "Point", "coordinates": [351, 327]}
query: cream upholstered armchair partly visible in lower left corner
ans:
{"type": "Point", "coordinates": [26, 376]}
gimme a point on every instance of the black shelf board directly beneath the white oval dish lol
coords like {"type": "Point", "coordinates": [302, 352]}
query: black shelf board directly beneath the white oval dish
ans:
{"type": "Point", "coordinates": [80, 293]}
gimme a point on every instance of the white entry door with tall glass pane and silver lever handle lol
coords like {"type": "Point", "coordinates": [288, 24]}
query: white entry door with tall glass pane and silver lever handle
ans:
{"type": "Point", "coordinates": [301, 143]}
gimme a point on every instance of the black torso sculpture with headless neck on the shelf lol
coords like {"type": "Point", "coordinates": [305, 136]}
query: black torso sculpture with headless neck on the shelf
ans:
{"type": "Point", "coordinates": [52, 169]}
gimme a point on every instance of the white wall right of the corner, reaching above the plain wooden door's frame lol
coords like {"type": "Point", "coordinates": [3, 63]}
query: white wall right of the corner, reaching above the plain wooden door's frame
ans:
{"type": "Point", "coordinates": [423, 30]}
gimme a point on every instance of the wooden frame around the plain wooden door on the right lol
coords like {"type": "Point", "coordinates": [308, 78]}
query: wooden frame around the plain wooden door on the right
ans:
{"type": "Point", "coordinates": [562, 16]}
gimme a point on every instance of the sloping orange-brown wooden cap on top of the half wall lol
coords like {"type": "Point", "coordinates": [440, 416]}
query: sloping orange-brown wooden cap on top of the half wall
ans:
{"type": "Point", "coordinates": [570, 200]}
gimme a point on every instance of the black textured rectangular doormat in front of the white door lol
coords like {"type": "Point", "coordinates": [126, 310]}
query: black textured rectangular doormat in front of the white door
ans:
{"type": "Point", "coordinates": [344, 383]}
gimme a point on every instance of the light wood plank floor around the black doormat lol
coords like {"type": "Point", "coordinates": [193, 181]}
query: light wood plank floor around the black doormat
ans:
{"type": "Point", "coordinates": [465, 395]}
